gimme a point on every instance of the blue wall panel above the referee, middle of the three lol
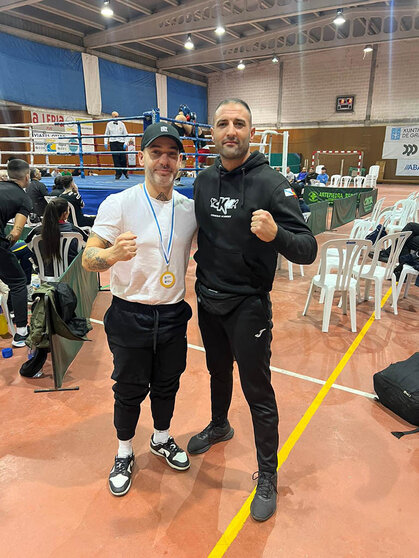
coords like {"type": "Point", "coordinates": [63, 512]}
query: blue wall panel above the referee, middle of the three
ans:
{"type": "Point", "coordinates": [126, 90]}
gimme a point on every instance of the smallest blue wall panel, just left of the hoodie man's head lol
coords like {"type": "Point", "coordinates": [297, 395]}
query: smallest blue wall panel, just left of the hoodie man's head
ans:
{"type": "Point", "coordinates": [183, 93]}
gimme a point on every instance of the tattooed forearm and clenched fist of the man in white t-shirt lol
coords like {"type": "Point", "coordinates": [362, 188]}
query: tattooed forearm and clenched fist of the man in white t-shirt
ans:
{"type": "Point", "coordinates": [100, 255]}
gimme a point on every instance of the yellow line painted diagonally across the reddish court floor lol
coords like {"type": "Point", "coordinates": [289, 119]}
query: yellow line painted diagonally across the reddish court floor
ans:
{"type": "Point", "coordinates": [240, 518]}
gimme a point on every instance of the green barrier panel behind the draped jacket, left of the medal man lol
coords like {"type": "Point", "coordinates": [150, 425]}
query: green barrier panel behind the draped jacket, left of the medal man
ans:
{"type": "Point", "coordinates": [85, 286]}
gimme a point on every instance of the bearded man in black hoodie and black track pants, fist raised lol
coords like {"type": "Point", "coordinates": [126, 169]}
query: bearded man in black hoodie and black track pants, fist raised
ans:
{"type": "Point", "coordinates": [247, 214]}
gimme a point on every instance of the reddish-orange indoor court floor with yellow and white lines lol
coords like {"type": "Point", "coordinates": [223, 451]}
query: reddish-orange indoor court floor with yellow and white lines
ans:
{"type": "Point", "coordinates": [347, 487]}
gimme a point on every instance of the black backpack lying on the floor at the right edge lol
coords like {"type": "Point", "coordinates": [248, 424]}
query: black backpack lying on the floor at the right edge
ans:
{"type": "Point", "coordinates": [397, 387]}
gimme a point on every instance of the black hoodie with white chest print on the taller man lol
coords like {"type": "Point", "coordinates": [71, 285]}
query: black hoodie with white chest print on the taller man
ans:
{"type": "Point", "coordinates": [230, 258]}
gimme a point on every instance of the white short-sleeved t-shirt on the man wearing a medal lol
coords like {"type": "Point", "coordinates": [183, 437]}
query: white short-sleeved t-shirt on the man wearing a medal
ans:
{"type": "Point", "coordinates": [138, 280]}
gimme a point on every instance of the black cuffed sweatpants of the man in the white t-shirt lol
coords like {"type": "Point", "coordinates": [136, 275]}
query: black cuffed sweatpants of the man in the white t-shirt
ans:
{"type": "Point", "coordinates": [149, 352]}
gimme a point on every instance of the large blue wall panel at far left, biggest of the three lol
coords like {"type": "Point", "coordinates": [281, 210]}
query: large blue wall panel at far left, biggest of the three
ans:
{"type": "Point", "coordinates": [40, 75]}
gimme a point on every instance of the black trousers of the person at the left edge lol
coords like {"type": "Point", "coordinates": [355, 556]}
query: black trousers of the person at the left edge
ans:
{"type": "Point", "coordinates": [12, 274]}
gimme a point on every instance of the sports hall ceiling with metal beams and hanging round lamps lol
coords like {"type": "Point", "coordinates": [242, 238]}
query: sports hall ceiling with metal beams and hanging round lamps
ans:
{"type": "Point", "coordinates": [151, 33]}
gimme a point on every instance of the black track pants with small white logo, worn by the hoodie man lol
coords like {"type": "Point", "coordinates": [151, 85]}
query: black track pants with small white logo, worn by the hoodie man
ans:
{"type": "Point", "coordinates": [244, 334]}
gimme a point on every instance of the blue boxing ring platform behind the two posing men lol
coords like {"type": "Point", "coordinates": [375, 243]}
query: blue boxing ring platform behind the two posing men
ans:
{"type": "Point", "coordinates": [94, 189]}
